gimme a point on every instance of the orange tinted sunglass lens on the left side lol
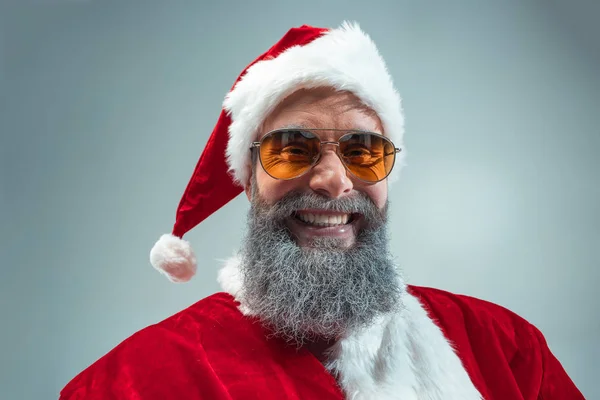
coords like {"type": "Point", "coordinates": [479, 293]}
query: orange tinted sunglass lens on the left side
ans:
{"type": "Point", "coordinates": [288, 154]}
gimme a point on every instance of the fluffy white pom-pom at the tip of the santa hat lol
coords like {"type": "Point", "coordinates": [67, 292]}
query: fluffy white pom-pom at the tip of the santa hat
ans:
{"type": "Point", "coordinates": [173, 257]}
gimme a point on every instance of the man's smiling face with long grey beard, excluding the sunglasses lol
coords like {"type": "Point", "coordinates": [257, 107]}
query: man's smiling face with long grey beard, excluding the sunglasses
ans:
{"type": "Point", "coordinates": [309, 282]}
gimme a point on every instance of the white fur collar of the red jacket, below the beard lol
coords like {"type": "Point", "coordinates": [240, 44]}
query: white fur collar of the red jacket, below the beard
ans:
{"type": "Point", "coordinates": [402, 356]}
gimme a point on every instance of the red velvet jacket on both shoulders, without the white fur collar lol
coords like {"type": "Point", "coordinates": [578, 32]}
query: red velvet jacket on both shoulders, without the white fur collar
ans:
{"type": "Point", "coordinates": [211, 351]}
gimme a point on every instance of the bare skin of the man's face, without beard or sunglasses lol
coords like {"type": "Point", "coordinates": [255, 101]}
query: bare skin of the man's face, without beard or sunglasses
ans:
{"type": "Point", "coordinates": [321, 108]}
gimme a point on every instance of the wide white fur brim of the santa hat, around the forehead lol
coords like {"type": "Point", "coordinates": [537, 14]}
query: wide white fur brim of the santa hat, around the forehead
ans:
{"type": "Point", "coordinates": [344, 58]}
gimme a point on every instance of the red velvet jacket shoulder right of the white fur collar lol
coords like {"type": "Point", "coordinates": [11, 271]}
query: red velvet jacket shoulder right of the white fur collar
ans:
{"type": "Point", "coordinates": [501, 350]}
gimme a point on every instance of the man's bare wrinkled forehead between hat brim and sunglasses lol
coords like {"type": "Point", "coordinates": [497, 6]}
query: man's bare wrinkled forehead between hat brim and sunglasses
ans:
{"type": "Point", "coordinates": [323, 108]}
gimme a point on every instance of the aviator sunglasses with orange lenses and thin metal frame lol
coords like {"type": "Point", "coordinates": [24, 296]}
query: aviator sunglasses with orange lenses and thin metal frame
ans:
{"type": "Point", "coordinates": [290, 153]}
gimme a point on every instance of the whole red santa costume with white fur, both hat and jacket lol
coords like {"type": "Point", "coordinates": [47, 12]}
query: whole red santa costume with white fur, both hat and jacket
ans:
{"type": "Point", "coordinates": [439, 346]}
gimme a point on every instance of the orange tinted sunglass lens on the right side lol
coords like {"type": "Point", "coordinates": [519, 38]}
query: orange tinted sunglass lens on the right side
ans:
{"type": "Point", "coordinates": [370, 157]}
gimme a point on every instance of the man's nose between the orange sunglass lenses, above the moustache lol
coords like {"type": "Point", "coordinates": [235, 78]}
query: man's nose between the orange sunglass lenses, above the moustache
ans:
{"type": "Point", "coordinates": [329, 177]}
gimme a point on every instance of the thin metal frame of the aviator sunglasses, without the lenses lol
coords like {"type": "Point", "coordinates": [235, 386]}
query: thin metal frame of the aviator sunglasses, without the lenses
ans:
{"type": "Point", "coordinates": [256, 145]}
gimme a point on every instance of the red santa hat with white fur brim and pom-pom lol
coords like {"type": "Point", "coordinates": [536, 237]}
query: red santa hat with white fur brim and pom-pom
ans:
{"type": "Point", "coordinates": [306, 57]}
